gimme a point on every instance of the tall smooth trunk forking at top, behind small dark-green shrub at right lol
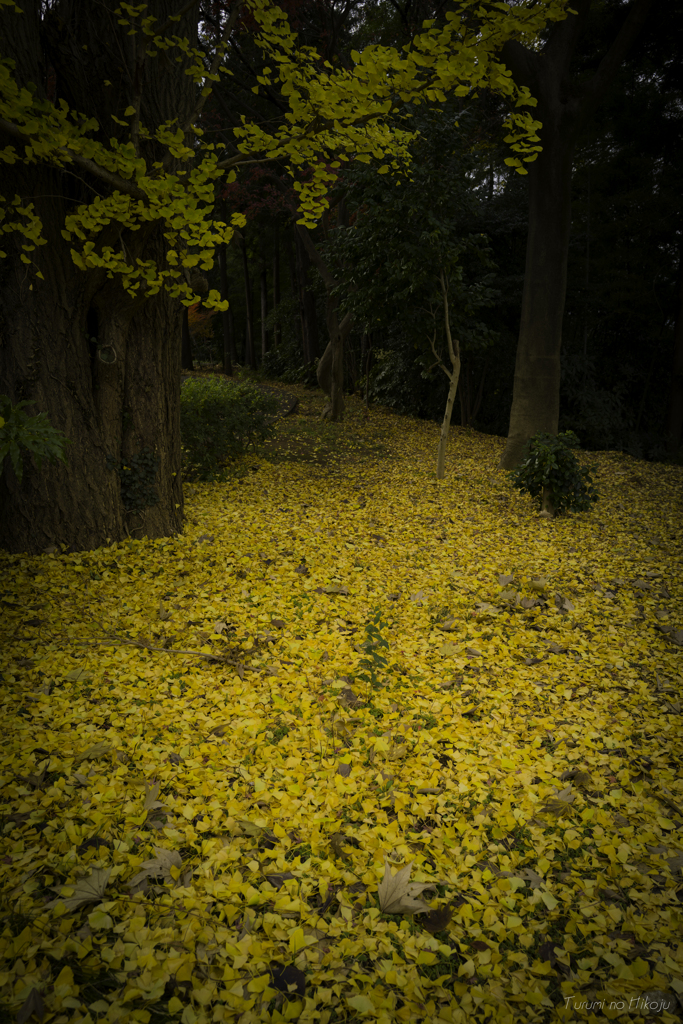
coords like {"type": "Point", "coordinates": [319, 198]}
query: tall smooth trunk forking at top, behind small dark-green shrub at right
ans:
{"type": "Point", "coordinates": [564, 106]}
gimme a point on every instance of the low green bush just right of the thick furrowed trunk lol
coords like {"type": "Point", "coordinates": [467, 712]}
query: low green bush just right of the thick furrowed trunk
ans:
{"type": "Point", "coordinates": [220, 421]}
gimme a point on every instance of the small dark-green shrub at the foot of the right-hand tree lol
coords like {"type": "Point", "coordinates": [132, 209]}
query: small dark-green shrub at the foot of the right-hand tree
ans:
{"type": "Point", "coordinates": [550, 472]}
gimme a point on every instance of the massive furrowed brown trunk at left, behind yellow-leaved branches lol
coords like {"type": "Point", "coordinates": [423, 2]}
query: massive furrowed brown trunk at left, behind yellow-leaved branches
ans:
{"type": "Point", "coordinates": [117, 399]}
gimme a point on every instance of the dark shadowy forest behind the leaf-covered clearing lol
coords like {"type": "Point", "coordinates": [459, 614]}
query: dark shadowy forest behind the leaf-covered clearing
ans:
{"type": "Point", "coordinates": [625, 289]}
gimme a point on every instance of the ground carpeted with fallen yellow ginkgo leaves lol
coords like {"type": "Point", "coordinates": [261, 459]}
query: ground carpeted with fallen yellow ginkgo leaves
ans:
{"type": "Point", "coordinates": [358, 746]}
